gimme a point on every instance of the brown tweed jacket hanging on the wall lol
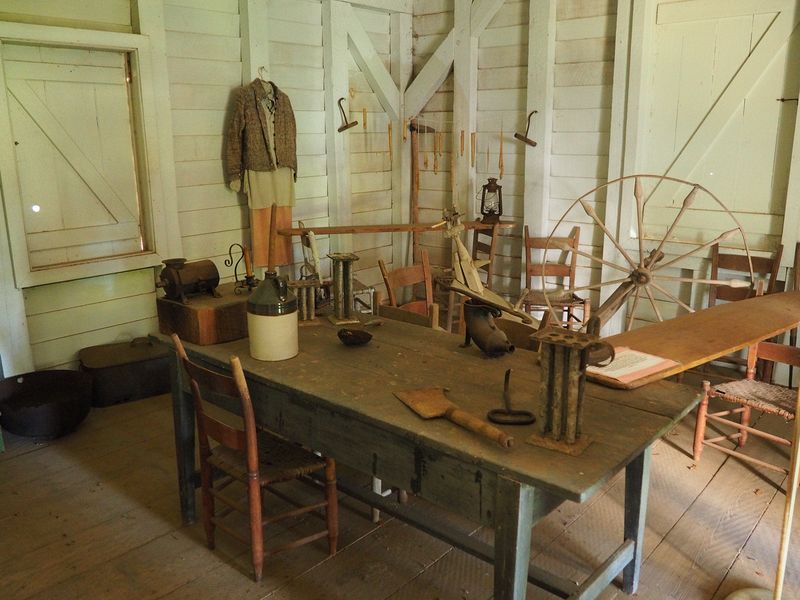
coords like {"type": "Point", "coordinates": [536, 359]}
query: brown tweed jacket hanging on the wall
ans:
{"type": "Point", "coordinates": [245, 140]}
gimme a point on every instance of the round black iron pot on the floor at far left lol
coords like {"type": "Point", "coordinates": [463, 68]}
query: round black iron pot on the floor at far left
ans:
{"type": "Point", "coordinates": [45, 404]}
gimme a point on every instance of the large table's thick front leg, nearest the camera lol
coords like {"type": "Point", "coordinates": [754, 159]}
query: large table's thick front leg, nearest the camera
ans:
{"type": "Point", "coordinates": [512, 538]}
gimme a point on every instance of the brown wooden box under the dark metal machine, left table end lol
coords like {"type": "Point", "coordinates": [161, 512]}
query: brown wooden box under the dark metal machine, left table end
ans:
{"type": "Point", "coordinates": [206, 320]}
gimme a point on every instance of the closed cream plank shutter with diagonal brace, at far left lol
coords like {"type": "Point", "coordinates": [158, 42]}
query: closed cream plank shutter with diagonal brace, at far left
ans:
{"type": "Point", "coordinates": [70, 116]}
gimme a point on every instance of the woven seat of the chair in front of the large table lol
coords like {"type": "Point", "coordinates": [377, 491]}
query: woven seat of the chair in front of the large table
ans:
{"type": "Point", "coordinates": [278, 460]}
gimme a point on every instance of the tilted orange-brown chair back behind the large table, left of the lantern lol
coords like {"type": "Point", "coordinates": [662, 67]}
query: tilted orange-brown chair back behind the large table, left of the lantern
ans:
{"type": "Point", "coordinates": [422, 311]}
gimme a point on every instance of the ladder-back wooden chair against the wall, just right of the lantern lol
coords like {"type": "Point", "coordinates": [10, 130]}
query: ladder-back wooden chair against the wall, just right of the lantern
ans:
{"type": "Point", "coordinates": [564, 300]}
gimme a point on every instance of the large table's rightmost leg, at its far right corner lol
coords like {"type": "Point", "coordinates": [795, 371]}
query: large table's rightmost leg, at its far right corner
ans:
{"type": "Point", "coordinates": [637, 486]}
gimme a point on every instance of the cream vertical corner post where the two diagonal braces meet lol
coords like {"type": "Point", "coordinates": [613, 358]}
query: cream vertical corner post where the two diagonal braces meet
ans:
{"type": "Point", "coordinates": [401, 68]}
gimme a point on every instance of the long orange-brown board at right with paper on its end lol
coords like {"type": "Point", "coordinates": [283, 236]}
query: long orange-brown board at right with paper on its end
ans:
{"type": "Point", "coordinates": [696, 338]}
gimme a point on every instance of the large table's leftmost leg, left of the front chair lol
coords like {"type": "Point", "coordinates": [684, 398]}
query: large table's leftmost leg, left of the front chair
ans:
{"type": "Point", "coordinates": [183, 419]}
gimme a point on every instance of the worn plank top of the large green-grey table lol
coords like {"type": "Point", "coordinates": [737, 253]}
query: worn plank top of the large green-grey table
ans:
{"type": "Point", "coordinates": [359, 382]}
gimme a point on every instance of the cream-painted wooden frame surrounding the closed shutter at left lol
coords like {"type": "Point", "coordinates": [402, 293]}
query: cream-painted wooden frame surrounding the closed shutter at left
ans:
{"type": "Point", "coordinates": [155, 154]}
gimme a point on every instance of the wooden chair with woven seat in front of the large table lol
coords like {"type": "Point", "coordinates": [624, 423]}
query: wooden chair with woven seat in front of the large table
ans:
{"type": "Point", "coordinates": [255, 458]}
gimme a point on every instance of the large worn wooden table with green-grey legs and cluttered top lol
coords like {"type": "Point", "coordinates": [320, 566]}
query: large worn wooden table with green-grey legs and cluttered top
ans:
{"type": "Point", "coordinates": [339, 401]}
